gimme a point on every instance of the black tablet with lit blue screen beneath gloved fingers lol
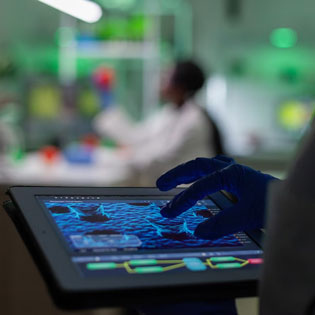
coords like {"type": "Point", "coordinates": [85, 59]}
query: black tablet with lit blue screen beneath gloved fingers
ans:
{"type": "Point", "coordinates": [110, 246]}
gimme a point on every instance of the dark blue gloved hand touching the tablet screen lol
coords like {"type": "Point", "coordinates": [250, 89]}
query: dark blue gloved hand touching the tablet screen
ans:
{"type": "Point", "coordinates": [210, 176]}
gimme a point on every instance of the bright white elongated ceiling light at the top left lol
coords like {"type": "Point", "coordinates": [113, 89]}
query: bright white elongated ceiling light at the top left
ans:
{"type": "Point", "coordinates": [84, 10]}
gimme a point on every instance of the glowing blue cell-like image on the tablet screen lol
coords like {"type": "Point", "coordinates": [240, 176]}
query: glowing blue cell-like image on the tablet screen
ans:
{"type": "Point", "coordinates": [122, 225]}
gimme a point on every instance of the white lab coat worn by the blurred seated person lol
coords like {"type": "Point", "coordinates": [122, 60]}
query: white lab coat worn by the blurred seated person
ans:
{"type": "Point", "coordinates": [169, 137]}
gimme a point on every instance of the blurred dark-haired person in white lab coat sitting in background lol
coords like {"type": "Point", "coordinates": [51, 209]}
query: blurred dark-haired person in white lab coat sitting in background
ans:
{"type": "Point", "coordinates": [180, 131]}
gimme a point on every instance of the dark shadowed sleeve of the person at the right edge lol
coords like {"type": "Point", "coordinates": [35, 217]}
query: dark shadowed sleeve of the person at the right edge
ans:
{"type": "Point", "coordinates": [288, 279]}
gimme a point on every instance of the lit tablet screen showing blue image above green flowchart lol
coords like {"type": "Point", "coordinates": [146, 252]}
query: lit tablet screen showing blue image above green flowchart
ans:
{"type": "Point", "coordinates": [128, 234]}
